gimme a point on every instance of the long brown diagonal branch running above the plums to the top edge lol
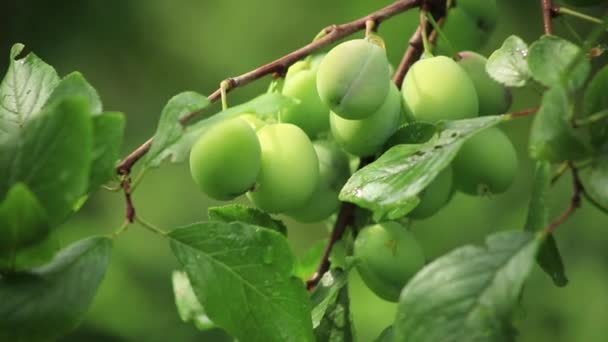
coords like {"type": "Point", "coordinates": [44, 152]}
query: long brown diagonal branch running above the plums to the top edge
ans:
{"type": "Point", "coordinates": [333, 33]}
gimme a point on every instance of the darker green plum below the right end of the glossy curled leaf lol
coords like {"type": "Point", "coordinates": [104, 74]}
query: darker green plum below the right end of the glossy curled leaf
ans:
{"type": "Point", "coordinates": [486, 163]}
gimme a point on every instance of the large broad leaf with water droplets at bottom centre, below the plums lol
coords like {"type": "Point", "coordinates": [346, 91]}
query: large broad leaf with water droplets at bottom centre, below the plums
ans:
{"type": "Point", "coordinates": [242, 276]}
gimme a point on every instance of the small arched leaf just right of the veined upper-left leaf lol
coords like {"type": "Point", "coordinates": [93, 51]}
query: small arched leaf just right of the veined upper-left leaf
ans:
{"type": "Point", "coordinates": [72, 85]}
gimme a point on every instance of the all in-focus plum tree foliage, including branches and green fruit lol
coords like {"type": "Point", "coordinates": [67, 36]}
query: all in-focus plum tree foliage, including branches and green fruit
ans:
{"type": "Point", "coordinates": [345, 139]}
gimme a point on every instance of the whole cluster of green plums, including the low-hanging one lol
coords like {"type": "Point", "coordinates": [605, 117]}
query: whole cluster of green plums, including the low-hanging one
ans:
{"type": "Point", "coordinates": [348, 107]}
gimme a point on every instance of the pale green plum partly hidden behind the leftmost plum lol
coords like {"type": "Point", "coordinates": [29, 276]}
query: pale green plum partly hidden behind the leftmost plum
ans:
{"type": "Point", "coordinates": [289, 172]}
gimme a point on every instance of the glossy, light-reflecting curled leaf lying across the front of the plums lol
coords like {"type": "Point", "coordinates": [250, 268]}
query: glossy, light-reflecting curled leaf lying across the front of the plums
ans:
{"type": "Point", "coordinates": [390, 186]}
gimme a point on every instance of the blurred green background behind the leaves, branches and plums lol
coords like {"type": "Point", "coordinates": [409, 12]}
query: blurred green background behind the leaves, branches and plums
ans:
{"type": "Point", "coordinates": [139, 53]}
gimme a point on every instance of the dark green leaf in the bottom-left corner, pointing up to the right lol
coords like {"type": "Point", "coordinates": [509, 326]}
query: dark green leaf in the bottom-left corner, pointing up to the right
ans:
{"type": "Point", "coordinates": [48, 302]}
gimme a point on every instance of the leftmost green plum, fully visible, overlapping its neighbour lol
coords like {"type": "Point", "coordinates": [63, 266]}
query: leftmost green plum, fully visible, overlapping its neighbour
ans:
{"type": "Point", "coordinates": [226, 159]}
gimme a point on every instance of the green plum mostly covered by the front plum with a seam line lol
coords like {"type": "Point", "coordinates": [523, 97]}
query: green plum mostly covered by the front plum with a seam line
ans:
{"type": "Point", "coordinates": [367, 136]}
